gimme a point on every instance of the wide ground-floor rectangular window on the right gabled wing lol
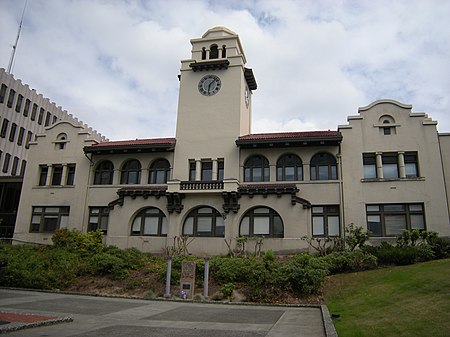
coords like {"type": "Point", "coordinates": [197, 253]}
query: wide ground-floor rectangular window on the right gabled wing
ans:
{"type": "Point", "coordinates": [393, 219]}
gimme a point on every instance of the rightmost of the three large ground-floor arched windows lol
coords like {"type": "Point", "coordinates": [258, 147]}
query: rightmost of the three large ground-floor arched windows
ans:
{"type": "Point", "coordinates": [262, 221]}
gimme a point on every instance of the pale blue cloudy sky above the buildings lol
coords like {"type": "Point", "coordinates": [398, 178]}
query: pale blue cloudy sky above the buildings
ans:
{"type": "Point", "coordinates": [114, 63]}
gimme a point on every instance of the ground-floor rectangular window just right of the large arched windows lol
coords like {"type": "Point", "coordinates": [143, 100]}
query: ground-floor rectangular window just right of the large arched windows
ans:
{"type": "Point", "coordinates": [325, 220]}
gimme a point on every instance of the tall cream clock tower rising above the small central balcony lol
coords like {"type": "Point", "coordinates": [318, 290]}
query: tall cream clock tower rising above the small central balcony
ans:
{"type": "Point", "coordinates": [214, 107]}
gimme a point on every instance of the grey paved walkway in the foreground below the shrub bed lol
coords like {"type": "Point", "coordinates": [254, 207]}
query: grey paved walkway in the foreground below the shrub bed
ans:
{"type": "Point", "coordinates": [105, 316]}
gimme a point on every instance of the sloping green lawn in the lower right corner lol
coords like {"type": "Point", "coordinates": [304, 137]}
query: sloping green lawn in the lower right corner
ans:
{"type": "Point", "coordinates": [399, 301]}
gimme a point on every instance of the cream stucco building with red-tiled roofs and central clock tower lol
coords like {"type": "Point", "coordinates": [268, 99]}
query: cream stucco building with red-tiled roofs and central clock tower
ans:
{"type": "Point", "coordinates": [387, 170]}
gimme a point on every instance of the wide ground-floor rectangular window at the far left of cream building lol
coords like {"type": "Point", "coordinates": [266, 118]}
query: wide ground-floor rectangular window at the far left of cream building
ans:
{"type": "Point", "coordinates": [49, 219]}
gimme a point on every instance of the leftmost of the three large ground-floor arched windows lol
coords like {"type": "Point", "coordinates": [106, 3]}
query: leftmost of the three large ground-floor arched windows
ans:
{"type": "Point", "coordinates": [150, 221]}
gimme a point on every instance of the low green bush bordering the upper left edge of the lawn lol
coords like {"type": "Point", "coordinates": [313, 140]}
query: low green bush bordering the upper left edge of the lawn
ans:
{"type": "Point", "coordinates": [348, 261]}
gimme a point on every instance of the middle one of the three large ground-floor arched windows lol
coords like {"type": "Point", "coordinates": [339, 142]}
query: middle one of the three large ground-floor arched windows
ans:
{"type": "Point", "coordinates": [204, 221]}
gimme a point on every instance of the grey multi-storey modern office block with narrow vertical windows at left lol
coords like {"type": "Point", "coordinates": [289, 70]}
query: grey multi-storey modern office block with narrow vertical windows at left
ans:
{"type": "Point", "coordinates": [23, 114]}
